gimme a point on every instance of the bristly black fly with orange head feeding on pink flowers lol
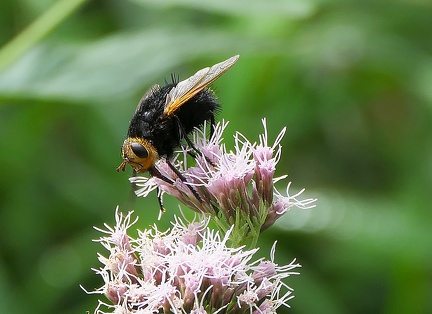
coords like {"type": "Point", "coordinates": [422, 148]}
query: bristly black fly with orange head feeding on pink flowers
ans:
{"type": "Point", "coordinates": [167, 115]}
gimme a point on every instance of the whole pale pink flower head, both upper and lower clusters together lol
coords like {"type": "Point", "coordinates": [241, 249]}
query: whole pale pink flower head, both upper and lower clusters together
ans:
{"type": "Point", "coordinates": [192, 268]}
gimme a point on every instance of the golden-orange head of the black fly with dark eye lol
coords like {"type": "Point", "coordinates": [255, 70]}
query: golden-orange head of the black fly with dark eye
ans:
{"type": "Point", "coordinates": [139, 153]}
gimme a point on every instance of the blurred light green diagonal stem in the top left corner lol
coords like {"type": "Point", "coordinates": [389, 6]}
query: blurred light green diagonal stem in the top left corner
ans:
{"type": "Point", "coordinates": [37, 30]}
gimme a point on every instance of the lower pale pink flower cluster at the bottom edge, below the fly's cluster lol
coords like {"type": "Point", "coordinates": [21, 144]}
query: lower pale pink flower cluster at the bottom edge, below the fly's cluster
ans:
{"type": "Point", "coordinates": [187, 269]}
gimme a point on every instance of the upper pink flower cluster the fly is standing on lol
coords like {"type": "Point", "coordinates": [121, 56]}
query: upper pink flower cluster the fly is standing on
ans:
{"type": "Point", "coordinates": [236, 187]}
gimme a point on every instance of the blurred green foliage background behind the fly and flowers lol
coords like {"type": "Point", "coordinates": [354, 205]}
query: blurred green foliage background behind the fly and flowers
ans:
{"type": "Point", "coordinates": [352, 81]}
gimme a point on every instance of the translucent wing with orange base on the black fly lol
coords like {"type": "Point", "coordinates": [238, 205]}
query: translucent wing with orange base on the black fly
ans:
{"type": "Point", "coordinates": [188, 88]}
